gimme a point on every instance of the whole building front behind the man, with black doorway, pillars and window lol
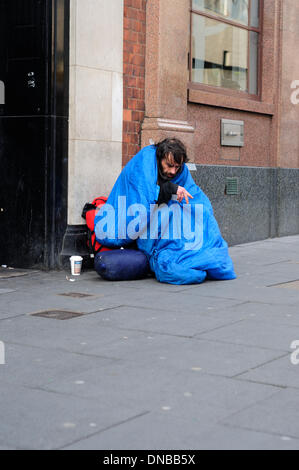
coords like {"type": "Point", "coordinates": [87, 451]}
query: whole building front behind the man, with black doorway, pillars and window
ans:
{"type": "Point", "coordinates": [112, 77]}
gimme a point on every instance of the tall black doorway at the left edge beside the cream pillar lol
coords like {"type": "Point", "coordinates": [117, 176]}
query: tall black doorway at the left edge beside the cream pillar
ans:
{"type": "Point", "coordinates": [34, 48]}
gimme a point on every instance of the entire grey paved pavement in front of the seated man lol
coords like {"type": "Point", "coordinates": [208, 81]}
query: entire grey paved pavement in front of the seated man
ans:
{"type": "Point", "coordinates": [152, 366]}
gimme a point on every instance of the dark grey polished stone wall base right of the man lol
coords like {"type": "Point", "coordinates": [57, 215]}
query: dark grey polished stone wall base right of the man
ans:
{"type": "Point", "coordinates": [267, 203]}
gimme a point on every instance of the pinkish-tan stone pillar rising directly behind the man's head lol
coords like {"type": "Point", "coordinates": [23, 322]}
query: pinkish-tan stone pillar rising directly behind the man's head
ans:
{"type": "Point", "coordinates": [166, 75]}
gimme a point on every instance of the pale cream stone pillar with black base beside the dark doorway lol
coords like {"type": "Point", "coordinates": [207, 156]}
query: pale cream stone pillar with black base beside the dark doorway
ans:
{"type": "Point", "coordinates": [95, 110]}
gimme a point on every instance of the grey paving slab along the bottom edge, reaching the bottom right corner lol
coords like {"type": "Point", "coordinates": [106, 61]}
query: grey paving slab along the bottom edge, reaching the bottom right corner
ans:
{"type": "Point", "coordinates": [158, 431]}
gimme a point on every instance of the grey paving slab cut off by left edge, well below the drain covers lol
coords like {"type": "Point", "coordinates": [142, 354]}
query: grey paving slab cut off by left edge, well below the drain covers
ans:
{"type": "Point", "coordinates": [34, 367]}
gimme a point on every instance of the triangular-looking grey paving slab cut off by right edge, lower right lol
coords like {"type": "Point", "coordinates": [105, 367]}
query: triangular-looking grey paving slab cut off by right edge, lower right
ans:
{"type": "Point", "coordinates": [280, 372]}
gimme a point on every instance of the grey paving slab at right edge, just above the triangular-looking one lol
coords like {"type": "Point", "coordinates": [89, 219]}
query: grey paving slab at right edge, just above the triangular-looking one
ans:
{"type": "Point", "coordinates": [263, 334]}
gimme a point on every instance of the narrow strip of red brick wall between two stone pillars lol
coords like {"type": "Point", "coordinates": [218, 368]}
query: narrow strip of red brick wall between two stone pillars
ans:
{"type": "Point", "coordinates": [134, 76]}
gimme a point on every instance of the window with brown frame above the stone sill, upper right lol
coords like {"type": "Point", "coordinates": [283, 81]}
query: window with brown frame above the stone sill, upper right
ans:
{"type": "Point", "coordinates": [224, 47]}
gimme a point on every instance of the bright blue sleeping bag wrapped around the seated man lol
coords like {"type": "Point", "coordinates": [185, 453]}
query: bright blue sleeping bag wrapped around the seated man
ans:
{"type": "Point", "coordinates": [182, 241]}
